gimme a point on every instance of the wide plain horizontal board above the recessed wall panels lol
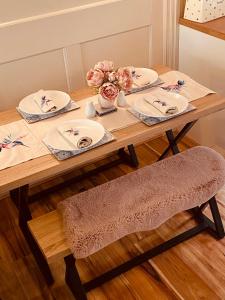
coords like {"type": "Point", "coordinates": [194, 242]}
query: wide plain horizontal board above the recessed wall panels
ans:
{"type": "Point", "coordinates": [73, 27]}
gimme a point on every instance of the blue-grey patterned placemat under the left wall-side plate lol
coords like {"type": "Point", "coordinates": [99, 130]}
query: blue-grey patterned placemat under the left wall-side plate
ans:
{"type": "Point", "coordinates": [31, 118]}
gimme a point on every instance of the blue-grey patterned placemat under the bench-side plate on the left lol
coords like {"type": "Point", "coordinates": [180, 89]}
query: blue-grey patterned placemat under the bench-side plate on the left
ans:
{"type": "Point", "coordinates": [62, 154]}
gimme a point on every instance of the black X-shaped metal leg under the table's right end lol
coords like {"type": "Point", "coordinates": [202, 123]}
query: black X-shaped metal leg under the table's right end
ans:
{"type": "Point", "coordinates": [174, 140]}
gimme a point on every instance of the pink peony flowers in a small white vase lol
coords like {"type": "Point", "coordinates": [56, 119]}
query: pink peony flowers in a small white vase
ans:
{"type": "Point", "coordinates": [108, 82]}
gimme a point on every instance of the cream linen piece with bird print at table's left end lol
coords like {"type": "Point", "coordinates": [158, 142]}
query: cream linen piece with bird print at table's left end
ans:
{"type": "Point", "coordinates": [18, 144]}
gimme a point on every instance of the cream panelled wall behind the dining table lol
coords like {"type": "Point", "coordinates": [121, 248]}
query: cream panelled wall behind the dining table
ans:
{"type": "Point", "coordinates": [54, 50]}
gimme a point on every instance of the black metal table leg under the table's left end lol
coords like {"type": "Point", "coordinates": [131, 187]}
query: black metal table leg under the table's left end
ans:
{"type": "Point", "coordinates": [21, 197]}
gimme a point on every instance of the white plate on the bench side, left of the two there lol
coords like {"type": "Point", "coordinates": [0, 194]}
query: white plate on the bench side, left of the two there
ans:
{"type": "Point", "coordinates": [86, 128]}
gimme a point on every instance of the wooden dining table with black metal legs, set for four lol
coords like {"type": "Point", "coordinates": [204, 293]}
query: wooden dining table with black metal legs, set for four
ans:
{"type": "Point", "coordinates": [18, 178]}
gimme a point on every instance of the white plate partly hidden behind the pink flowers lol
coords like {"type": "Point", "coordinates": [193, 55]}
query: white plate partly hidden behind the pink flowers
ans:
{"type": "Point", "coordinates": [147, 76]}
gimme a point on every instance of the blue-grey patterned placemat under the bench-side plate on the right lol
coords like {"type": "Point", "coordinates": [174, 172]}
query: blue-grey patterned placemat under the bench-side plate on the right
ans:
{"type": "Point", "coordinates": [153, 120]}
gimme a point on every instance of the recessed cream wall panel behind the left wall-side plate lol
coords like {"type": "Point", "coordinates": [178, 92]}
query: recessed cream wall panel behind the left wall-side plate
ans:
{"type": "Point", "coordinates": [22, 77]}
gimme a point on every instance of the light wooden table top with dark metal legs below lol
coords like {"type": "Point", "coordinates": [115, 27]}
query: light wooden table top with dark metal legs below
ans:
{"type": "Point", "coordinates": [47, 166]}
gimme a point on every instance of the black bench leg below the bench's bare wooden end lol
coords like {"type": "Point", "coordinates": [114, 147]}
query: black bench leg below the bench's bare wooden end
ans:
{"type": "Point", "coordinates": [72, 278]}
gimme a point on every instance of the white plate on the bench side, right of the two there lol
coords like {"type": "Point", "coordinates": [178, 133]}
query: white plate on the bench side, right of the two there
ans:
{"type": "Point", "coordinates": [143, 107]}
